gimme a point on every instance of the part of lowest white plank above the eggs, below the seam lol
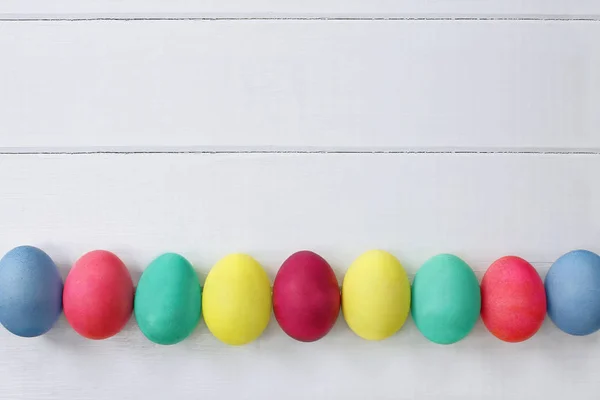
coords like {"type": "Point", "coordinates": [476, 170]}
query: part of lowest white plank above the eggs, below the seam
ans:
{"type": "Point", "coordinates": [479, 206]}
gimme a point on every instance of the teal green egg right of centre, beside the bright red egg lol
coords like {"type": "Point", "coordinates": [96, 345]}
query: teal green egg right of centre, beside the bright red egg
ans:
{"type": "Point", "coordinates": [445, 299]}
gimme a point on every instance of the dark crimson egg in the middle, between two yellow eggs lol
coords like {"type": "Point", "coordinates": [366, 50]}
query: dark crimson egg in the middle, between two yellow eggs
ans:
{"type": "Point", "coordinates": [306, 296]}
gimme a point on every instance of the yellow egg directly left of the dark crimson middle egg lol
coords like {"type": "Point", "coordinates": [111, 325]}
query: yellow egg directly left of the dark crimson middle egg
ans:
{"type": "Point", "coordinates": [236, 301]}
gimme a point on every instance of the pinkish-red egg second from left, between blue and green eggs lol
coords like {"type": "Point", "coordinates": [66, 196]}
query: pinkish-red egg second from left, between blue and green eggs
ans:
{"type": "Point", "coordinates": [98, 295]}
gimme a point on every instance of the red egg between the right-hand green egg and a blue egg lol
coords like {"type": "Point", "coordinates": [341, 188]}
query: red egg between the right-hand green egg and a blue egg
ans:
{"type": "Point", "coordinates": [513, 299]}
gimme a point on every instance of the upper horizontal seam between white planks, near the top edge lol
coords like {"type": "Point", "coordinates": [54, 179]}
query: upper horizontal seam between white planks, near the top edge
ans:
{"type": "Point", "coordinates": [358, 19]}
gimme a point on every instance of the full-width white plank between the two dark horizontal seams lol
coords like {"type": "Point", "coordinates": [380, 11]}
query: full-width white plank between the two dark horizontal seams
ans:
{"type": "Point", "coordinates": [299, 86]}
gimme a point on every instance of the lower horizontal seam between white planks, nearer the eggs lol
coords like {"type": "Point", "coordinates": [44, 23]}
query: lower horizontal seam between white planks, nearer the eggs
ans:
{"type": "Point", "coordinates": [266, 152]}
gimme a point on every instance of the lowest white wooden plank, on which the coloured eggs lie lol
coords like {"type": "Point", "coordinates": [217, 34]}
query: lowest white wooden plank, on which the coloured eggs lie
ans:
{"type": "Point", "coordinates": [480, 206]}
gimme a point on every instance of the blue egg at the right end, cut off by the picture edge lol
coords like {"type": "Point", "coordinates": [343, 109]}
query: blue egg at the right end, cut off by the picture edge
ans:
{"type": "Point", "coordinates": [573, 292]}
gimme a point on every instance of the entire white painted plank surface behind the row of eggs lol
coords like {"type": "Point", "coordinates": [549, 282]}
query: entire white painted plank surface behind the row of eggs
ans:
{"type": "Point", "coordinates": [208, 127]}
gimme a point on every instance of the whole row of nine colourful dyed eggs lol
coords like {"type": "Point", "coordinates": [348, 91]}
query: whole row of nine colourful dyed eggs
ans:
{"type": "Point", "coordinates": [236, 301]}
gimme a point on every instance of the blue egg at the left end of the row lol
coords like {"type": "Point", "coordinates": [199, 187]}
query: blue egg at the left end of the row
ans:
{"type": "Point", "coordinates": [30, 291]}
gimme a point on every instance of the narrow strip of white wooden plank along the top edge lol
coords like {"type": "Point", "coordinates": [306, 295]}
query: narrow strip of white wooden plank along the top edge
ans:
{"type": "Point", "coordinates": [298, 8]}
